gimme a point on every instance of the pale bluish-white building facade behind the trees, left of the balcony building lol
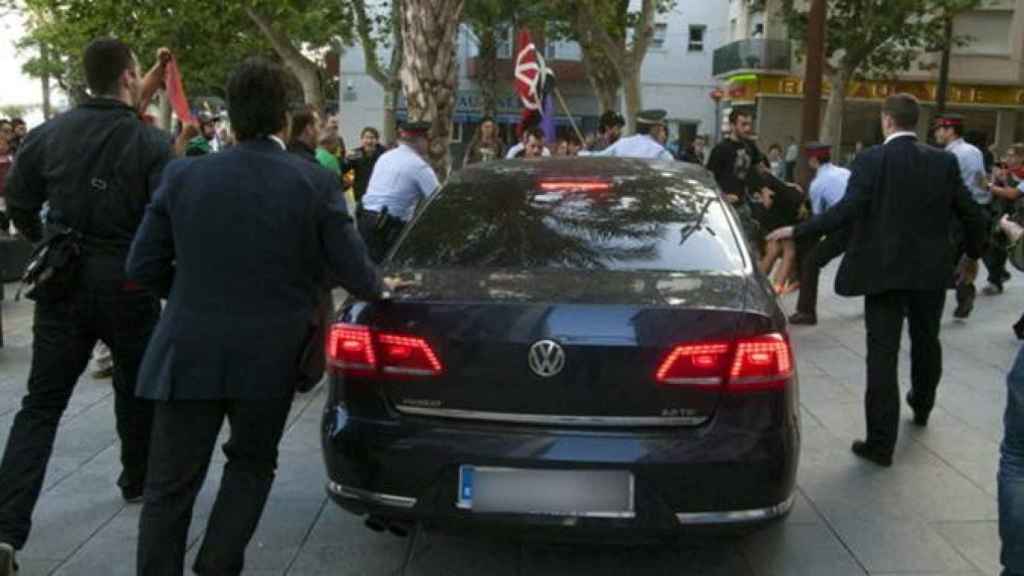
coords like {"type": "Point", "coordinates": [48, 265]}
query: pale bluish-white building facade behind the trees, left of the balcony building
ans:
{"type": "Point", "coordinates": [676, 76]}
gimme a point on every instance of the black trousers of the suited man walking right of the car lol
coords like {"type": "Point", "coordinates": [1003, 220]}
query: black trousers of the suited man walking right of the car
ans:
{"type": "Point", "coordinates": [884, 316]}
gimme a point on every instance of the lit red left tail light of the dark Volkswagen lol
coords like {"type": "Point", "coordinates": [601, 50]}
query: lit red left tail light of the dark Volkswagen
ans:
{"type": "Point", "coordinates": [362, 352]}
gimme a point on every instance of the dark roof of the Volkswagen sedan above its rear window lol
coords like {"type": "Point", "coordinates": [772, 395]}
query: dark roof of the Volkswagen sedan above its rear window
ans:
{"type": "Point", "coordinates": [581, 168]}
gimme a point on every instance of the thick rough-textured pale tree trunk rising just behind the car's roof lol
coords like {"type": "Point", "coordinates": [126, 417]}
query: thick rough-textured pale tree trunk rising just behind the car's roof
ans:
{"type": "Point", "coordinates": [430, 30]}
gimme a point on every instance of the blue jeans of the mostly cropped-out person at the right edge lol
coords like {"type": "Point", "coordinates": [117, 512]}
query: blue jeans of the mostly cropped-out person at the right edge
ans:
{"type": "Point", "coordinates": [1012, 474]}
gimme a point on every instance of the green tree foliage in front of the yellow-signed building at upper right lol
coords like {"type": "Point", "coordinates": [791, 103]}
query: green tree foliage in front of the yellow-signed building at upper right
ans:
{"type": "Point", "coordinates": [878, 38]}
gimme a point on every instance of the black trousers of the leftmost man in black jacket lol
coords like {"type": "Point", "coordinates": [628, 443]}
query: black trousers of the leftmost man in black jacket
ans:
{"type": "Point", "coordinates": [64, 337]}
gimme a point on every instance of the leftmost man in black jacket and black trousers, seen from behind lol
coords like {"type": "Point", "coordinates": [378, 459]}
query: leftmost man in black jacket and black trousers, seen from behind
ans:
{"type": "Point", "coordinates": [97, 167]}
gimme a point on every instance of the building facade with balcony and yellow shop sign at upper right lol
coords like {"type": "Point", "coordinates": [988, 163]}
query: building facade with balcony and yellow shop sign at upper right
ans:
{"type": "Point", "coordinates": [759, 71]}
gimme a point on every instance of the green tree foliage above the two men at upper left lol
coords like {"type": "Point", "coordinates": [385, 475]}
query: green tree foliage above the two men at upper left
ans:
{"type": "Point", "coordinates": [208, 38]}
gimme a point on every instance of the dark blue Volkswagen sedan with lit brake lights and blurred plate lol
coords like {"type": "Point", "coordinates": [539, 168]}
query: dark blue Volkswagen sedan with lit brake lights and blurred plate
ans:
{"type": "Point", "coordinates": [581, 344]}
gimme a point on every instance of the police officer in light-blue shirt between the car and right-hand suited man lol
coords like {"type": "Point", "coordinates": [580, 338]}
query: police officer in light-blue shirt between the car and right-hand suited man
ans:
{"type": "Point", "coordinates": [828, 188]}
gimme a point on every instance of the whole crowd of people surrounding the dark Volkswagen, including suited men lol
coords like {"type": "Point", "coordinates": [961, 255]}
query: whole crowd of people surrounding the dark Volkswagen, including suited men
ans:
{"type": "Point", "coordinates": [127, 226]}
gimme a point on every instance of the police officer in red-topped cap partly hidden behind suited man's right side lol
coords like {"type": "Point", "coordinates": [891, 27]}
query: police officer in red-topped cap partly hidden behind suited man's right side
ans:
{"type": "Point", "coordinates": [950, 133]}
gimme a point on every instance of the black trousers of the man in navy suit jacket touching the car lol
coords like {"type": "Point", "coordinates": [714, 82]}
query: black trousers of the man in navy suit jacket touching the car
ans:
{"type": "Point", "coordinates": [185, 433]}
